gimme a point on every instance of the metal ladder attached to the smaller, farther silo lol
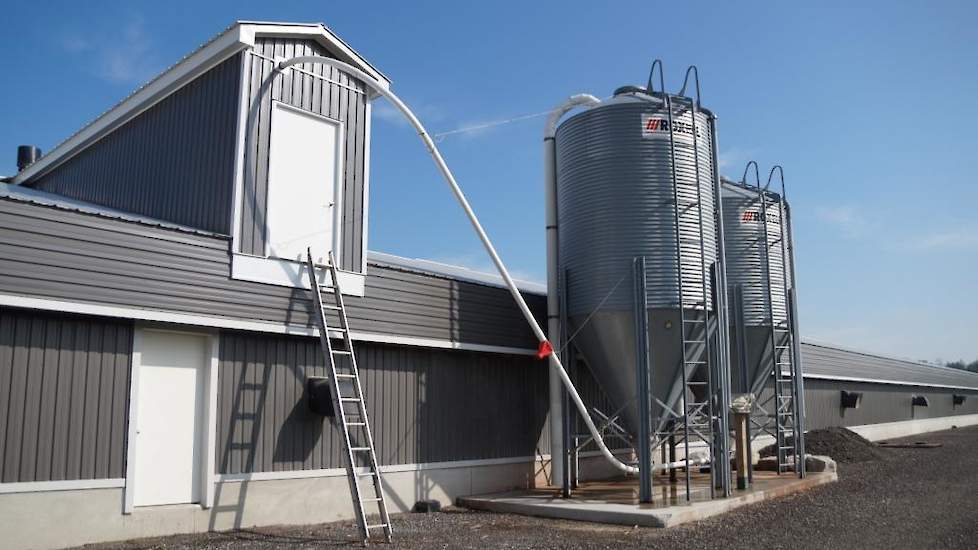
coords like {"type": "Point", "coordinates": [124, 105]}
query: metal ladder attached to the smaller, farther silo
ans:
{"type": "Point", "coordinates": [783, 361]}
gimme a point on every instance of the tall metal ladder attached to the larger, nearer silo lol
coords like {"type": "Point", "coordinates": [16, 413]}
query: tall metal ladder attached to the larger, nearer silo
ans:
{"type": "Point", "coordinates": [699, 418]}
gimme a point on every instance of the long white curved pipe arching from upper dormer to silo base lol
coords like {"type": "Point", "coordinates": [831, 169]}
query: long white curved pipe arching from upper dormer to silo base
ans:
{"type": "Point", "coordinates": [545, 346]}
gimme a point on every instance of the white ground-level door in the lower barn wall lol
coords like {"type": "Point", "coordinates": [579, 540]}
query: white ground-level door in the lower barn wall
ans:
{"type": "Point", "coordinates": [169, 418]}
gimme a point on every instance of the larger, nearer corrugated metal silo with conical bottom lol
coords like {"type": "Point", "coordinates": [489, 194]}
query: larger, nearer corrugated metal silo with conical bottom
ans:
{"type": "Point", "coordinates": [615, 203]}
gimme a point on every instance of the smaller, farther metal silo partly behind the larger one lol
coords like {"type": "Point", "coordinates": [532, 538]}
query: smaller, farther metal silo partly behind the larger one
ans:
{"type": "Point", "coordinates": [751, 347]}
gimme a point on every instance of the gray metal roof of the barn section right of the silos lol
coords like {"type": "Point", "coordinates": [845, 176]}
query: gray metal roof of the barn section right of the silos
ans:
{"type": "Point", "coordinates": [836, 363]}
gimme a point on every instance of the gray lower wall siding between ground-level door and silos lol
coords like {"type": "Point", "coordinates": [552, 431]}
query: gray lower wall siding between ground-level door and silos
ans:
{"type": "Point", "coordinates": [424, 405]}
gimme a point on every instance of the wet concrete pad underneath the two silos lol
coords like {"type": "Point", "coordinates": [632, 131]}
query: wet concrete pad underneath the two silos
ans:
{"type": "Point", "coordinates": [616, 502]}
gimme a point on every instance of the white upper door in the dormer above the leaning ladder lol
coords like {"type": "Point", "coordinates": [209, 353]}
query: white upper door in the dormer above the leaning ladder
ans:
{"type": "Point", "coordinates": [303, 167]}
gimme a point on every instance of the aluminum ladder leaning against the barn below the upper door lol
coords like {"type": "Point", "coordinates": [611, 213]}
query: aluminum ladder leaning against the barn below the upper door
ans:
{"type": "Point", "coordinates": [347, 392]}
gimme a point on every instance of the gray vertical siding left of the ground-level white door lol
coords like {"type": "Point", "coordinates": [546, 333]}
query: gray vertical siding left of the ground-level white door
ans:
{"type": "Point", "coordinates": [64, 387]}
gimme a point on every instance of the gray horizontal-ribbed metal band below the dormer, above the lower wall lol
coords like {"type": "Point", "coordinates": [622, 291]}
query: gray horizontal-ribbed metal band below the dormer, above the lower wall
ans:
{"type": "Point", "coordinates": [65, 255]}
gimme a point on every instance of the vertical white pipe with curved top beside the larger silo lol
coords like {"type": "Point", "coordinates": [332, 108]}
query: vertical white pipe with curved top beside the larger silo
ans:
{"type": "Point", "coordinates": [557, 449]}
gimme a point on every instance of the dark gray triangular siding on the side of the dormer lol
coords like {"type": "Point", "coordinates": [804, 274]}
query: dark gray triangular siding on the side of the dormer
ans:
{"type": "Point", "coordinates": [174, 162]}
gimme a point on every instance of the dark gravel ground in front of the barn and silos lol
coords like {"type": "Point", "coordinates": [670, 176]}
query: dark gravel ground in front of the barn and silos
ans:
{"type": "Point", "coordinates": [912, 498]}
